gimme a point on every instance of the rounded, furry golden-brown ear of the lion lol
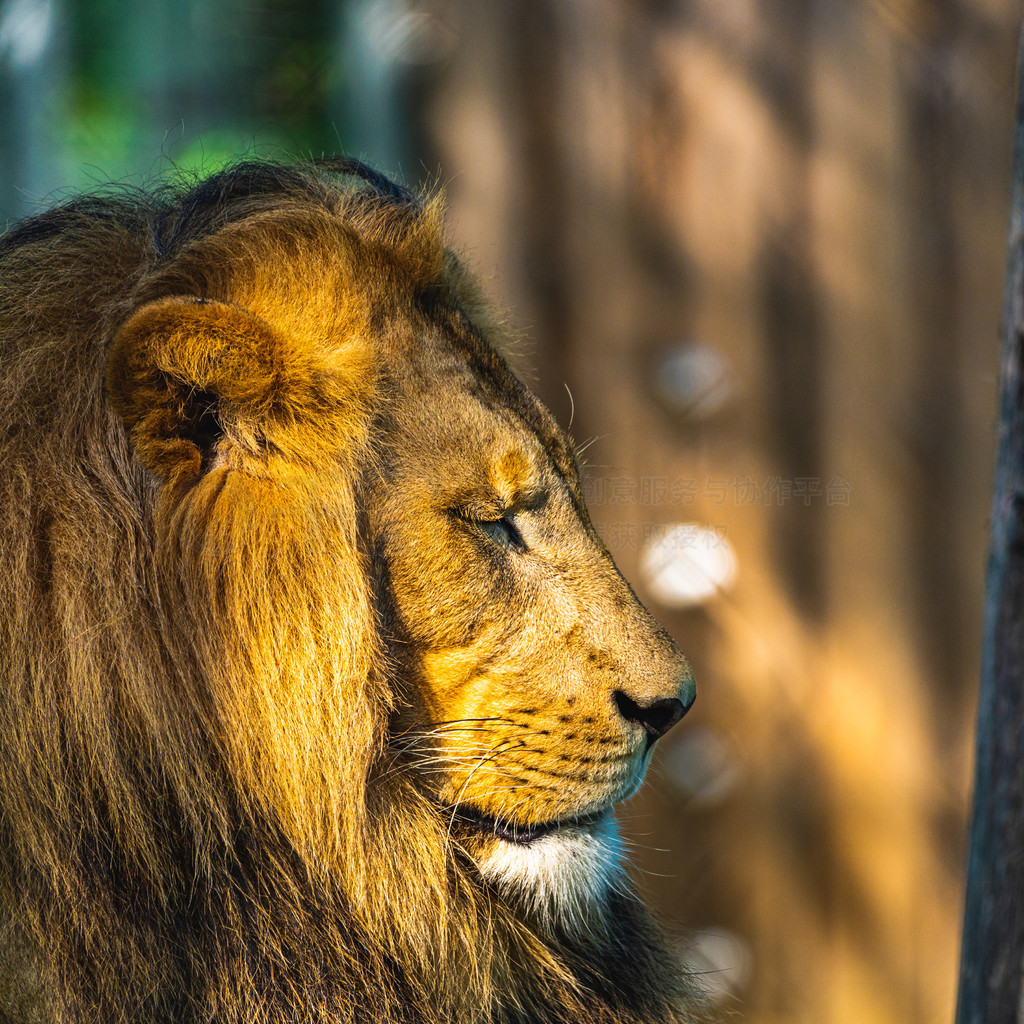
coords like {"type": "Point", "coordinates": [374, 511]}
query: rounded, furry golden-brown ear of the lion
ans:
{"type": "Point", "coordinates": [186, 373]}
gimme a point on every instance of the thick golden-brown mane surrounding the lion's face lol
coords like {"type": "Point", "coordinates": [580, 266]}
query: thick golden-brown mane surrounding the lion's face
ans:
{"type": "Point", "coordinates": [200, 817]}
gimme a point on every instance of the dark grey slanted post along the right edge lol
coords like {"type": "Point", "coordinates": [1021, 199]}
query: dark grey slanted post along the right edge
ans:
{"type": "Point", "coordinates": [994, 927]}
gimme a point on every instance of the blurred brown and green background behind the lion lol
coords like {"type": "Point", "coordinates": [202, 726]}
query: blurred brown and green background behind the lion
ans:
{"type": "Point", "coordinates": [753, 250]}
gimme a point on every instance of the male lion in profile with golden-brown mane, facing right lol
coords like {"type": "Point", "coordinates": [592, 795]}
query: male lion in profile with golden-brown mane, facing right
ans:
{"type": "Point", "coordinates": [320, 688]}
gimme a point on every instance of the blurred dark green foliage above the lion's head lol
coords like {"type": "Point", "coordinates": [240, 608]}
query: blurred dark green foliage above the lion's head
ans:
{"type": "Point", "coordinates": [196, 84]}
